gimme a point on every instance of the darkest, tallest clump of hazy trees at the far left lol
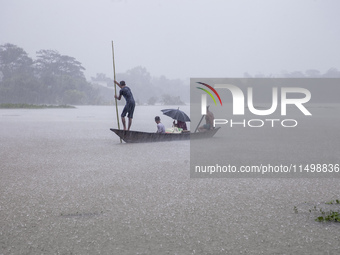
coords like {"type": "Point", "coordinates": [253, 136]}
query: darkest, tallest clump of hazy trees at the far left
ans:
{"type": "Point", "coordinates": [50, 79]}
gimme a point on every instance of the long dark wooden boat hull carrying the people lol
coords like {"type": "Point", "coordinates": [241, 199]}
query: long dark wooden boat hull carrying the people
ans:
{"type": "Point", "coordinates": [145, 137]}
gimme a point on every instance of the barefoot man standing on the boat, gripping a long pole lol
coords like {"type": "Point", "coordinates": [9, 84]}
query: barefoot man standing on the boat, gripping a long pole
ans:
{"type": "Point", "coordinates": [130, 103]}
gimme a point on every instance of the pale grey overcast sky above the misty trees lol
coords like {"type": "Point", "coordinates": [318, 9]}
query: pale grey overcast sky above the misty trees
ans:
{"type": "Point", "coordinates": [180, 38]}
